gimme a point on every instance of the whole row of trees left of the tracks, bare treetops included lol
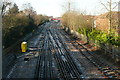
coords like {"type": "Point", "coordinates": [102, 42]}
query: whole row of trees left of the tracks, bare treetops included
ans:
{"type": "Point", "coordinates": [16, 24]}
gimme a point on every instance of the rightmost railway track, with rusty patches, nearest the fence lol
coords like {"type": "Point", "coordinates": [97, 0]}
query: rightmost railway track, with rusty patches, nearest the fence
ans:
{"type": "Point", "coordinates": [106, 69]}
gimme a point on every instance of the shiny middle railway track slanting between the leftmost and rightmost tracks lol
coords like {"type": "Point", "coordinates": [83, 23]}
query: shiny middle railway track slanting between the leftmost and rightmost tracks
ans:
{"type": "Point", "coordinates": [71, 71]}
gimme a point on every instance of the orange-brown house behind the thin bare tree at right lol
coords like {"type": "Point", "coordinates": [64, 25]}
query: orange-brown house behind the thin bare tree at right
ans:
{"type": "Point", "coordinates": [102, 22]}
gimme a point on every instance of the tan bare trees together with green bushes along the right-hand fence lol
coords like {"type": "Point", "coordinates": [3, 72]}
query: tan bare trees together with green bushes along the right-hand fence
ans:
{"type": "Point", "coordinates": [83, 24]}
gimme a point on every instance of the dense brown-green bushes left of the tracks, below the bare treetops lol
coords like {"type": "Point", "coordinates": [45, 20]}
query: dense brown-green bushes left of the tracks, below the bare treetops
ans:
{"type": "Point", "coordinates": [16, 26]}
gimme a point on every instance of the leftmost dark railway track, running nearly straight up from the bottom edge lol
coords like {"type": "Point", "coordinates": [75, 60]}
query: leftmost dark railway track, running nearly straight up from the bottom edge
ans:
{"type": "Point", "coordinates": [45, 68]}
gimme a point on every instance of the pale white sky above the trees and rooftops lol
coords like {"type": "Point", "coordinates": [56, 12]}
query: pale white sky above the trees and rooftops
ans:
{"type": "Point", "coordinates": [58, 7]}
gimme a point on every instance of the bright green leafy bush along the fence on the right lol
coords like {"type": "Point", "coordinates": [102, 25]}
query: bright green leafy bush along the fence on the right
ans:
{"type": "Point", "coordinates": [102, 37]}
